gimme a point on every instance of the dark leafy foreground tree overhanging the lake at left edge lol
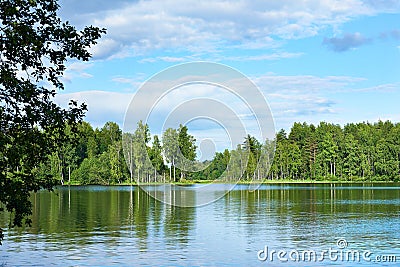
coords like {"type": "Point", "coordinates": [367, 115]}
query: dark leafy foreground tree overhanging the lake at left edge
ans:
{"type": "Point", "coordinates": [34, 46]}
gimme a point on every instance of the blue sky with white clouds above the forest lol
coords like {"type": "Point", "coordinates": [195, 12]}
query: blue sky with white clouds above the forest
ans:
{"type": "Point", "coordinates": [313, 61]}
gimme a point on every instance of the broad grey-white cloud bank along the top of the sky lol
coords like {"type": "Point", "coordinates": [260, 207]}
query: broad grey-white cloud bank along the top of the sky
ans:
{"type": "Point", "coordinates": [204, 26]}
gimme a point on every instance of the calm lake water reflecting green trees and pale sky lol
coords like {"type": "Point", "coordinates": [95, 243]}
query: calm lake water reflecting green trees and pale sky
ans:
{"type": "Point", "coordinates": [357, 224]}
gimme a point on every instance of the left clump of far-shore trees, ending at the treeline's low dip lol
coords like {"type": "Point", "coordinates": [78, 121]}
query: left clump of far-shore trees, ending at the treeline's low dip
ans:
{"type": "Point", "coordinates": [97, 156]}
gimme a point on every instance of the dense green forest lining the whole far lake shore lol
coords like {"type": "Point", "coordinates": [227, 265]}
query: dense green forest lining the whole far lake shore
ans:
{"type": "Point", "coordinates": [355, 152]}
